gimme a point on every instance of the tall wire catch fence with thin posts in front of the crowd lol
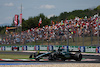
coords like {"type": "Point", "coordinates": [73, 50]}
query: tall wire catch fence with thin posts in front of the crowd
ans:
{"type": "Point", "coordinates": [67, 37]}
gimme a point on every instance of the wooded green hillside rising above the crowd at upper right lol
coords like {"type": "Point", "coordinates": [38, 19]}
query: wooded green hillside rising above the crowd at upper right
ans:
{"type": "Point", "coordinates": [77, 13]}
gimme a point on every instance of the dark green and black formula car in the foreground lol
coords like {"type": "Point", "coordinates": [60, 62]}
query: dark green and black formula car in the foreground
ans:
{"type": "Point", "coordinates": [59, 54]}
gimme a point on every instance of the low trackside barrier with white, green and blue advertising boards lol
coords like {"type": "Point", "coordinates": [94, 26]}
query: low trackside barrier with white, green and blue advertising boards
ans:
{"type": "Point", "coordinates": [90, 49]}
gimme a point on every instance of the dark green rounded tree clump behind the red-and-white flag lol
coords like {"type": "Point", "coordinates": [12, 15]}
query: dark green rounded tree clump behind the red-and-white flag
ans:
{"type": "Point", "coordinates": [32, 22]}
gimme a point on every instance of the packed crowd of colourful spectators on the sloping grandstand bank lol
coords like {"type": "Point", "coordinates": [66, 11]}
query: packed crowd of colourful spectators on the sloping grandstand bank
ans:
{"type": "Point", "coordinates": [57, 31]}
